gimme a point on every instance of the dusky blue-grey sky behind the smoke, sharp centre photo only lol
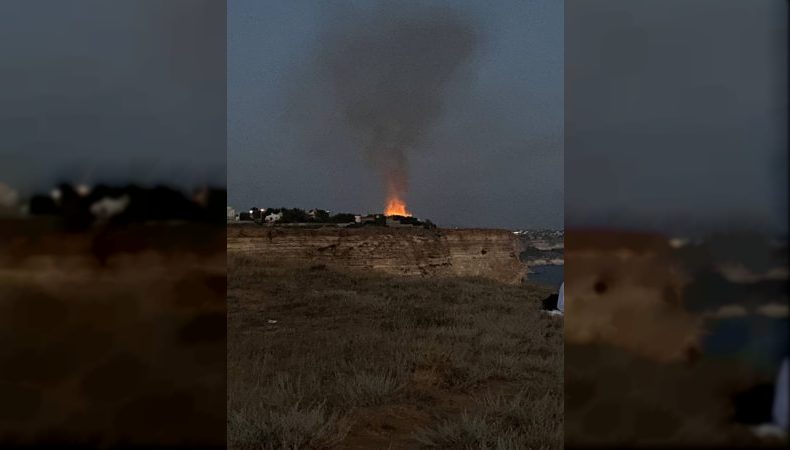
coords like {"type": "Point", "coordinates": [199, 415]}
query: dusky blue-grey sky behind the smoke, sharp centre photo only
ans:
{"type": "Point", "coordinates": [483, 147]}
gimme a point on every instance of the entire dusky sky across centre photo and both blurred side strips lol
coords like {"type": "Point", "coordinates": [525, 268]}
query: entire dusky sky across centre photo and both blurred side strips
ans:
{"type": "Point", "coordinates": [675, 111]}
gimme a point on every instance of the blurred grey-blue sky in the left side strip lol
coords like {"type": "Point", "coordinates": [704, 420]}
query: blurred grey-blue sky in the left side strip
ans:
{"type": "Point", "coordinates": [123, 91]}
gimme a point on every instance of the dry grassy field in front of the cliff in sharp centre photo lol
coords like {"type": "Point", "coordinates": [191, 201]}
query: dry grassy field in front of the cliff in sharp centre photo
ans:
{"type": "Point", "coordinates": [323, 359]}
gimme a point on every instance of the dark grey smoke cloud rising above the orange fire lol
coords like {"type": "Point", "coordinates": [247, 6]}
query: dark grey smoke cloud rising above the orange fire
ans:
{"type": "Point", "coordinates": [388, 69]}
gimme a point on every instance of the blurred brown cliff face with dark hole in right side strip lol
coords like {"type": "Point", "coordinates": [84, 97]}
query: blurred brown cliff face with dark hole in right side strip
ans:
{"type": "Point", "coordinates": [626, 290]}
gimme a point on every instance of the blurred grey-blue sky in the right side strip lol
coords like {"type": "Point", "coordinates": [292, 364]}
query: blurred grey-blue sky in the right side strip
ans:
{"type": "Point", "coordinates": [676, 114]}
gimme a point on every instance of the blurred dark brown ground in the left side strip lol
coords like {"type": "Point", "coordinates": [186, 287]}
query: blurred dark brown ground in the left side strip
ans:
{"type": "Point", "coordinates": [112, 338]}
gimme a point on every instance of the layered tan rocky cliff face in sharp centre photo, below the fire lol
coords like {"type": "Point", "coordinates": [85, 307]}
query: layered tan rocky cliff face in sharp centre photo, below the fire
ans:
{"type": "Point", "coordinates": [490, 254]}
